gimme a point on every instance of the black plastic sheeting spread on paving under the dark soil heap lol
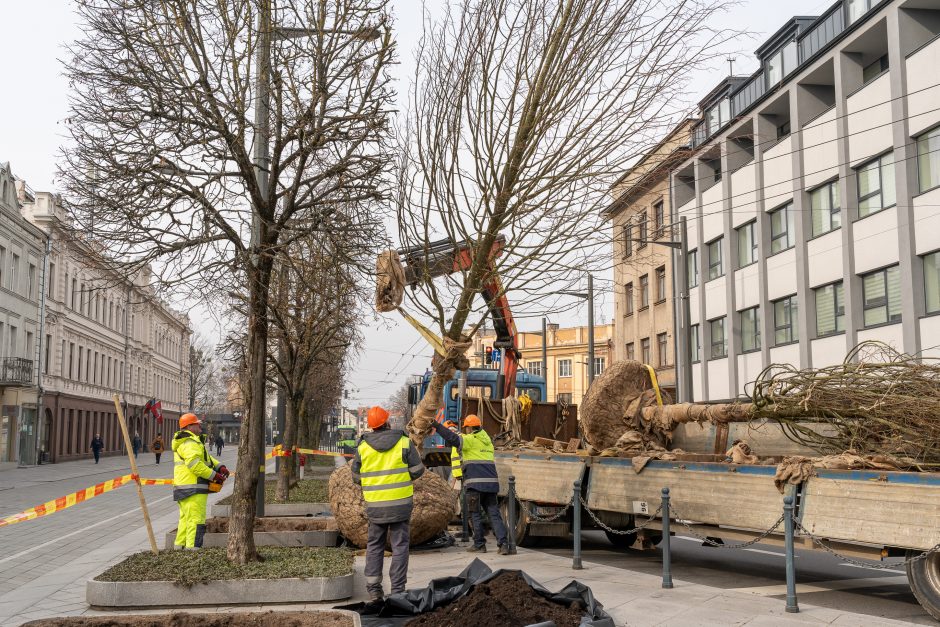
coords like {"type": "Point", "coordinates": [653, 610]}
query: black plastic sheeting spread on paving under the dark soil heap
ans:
{"type": "Point", "coordinates": [398, 609]}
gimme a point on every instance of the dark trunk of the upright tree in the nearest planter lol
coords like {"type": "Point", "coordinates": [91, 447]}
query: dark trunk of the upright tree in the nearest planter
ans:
{"type": "Point", "coordinates": [241, 540]}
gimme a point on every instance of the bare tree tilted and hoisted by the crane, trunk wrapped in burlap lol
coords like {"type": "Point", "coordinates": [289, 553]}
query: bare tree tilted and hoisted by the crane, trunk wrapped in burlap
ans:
{"type": "Point", "coordinates": [522, 114]}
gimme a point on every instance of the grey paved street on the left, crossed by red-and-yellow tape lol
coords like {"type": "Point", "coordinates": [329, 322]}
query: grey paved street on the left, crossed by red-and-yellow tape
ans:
{"type": "Point", "coordinates": [44, 562]}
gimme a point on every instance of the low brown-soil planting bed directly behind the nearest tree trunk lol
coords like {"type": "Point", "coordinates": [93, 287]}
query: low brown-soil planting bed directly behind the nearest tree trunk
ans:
{"type": "Point", "coordinates": [273, 531]}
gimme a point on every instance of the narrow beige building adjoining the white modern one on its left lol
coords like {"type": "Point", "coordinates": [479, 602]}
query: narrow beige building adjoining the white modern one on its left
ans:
{"type": "Point", "coordinates": [640, 216]}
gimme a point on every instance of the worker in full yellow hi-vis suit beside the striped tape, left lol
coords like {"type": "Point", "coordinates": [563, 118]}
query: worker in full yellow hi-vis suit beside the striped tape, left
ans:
{"type": "Point", "coordinates": [193, 472]}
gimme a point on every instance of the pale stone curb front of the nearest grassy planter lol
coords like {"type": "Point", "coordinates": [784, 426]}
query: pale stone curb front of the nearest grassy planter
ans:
{"type": "Point", "coordinates": [124, 594]}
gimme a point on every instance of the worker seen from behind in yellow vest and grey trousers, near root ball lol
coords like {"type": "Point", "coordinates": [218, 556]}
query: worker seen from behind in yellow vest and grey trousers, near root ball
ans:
{"type": "Point", "coordinates": [385, 465]}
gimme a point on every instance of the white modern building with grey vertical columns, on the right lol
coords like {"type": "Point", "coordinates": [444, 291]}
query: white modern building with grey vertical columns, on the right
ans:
{"type": "Point", "coordinates": [813, 197]}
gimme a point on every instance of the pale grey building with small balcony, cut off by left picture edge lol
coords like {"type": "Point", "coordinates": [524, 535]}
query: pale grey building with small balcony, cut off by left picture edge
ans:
{"type": "Point", "coordinates": [22, 249]}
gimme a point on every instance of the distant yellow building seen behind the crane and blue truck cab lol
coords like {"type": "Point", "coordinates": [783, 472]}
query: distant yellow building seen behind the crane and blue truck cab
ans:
{"type": "Point", "coordinates": [567, 353]}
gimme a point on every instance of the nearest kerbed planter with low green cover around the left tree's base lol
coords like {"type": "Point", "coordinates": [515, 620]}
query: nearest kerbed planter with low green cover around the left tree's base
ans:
{"type": "Point", "coordinates": [206, 577]}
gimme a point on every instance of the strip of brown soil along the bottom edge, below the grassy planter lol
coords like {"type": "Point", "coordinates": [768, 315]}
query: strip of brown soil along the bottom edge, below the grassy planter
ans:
{"type": "Point", "coordinates": [235, 619]}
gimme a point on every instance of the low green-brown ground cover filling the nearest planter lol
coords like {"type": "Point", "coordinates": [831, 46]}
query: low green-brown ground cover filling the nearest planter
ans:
{"type": "Point", "coordinates": [191, 567]}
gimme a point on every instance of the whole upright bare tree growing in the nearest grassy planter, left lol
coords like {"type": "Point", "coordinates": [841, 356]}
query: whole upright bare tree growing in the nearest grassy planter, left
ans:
{"type": "Point", "coordinates": [207, 135]}
